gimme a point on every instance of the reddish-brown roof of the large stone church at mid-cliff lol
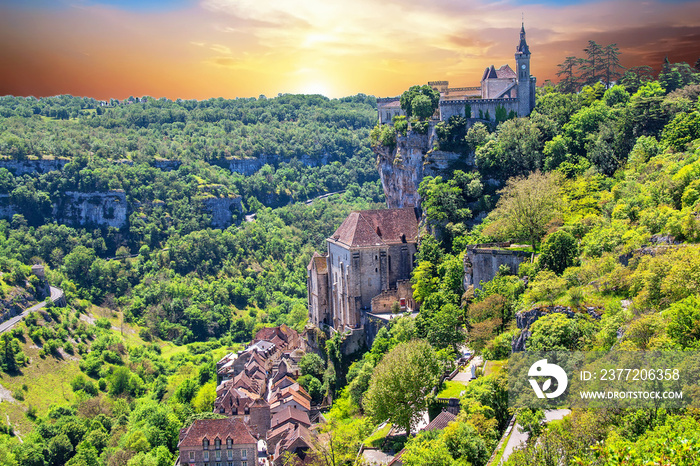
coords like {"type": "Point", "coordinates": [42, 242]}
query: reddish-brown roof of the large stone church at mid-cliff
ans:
{"type": "Point", "coordinates": [378, 228]}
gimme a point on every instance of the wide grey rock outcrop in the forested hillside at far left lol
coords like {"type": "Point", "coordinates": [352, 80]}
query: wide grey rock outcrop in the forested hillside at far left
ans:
{"type": "Point", "coordinates": [97, 208]}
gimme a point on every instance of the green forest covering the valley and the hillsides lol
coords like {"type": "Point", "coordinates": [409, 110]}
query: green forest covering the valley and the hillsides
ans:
{"type": "Point", "coordinates": [601, 184]}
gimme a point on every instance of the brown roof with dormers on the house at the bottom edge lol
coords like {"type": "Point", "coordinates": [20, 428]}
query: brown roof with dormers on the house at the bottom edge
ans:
{"type": "Point", "coordinates": [232, 428]}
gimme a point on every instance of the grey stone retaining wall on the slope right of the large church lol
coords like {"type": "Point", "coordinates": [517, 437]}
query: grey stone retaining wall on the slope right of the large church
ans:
{"type": "Point", "coordinates": [481, 262]}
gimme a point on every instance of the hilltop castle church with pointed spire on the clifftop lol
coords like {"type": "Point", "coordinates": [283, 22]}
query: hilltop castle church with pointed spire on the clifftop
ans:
{"type": "Point", "coordinates": [501, 88]}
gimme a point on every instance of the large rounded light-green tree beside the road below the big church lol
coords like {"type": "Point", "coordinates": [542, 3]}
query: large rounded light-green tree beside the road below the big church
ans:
{"type": "Point", "coordinates": [401, 383]}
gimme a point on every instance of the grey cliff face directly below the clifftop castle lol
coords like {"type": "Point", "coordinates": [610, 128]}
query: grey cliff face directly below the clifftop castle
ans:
{"type": "Point", "coordinates": [403, 167]}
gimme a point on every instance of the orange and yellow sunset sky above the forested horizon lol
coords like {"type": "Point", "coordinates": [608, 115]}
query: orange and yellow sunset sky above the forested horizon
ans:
{"type": "Point", "coordinates": [199, 49]}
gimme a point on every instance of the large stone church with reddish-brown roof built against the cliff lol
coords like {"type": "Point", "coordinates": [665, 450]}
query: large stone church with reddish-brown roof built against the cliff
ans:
{"type": "Point", "coordinates": [366, 269]}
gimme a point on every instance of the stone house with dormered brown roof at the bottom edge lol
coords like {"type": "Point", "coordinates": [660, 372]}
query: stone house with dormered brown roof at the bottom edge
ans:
{"type": "Point", "coordinates": [217, 442]}
